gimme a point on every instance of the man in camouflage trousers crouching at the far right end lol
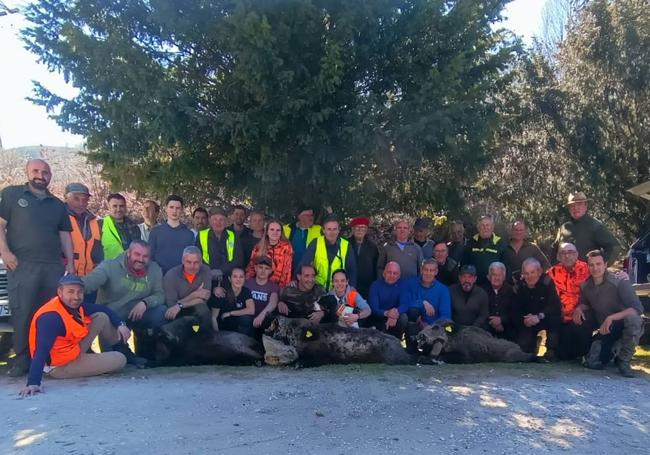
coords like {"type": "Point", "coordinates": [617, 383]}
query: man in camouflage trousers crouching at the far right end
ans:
{"type": "Point", "coordinates": [617, 311]}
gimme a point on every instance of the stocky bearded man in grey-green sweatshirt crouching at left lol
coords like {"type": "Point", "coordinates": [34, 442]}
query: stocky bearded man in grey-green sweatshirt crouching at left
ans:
{"type": "Point", "coordinates": [132, 286]}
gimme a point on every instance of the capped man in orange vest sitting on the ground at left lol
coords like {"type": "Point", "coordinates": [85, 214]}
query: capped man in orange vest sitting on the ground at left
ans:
{"type": "Point", "coordinates": [61, 333]}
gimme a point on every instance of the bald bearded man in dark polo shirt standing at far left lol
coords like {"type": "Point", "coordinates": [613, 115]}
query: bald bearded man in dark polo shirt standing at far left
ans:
{"type": "Point", "coordinates": [37, 234]}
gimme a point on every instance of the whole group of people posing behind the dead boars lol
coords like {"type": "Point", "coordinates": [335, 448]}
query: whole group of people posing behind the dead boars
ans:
{"type": "Point", "coordinates": [74, 277]}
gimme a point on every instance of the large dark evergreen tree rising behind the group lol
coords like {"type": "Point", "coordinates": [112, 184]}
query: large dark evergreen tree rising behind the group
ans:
{"type": "Point", "coordinates": [365, 104]}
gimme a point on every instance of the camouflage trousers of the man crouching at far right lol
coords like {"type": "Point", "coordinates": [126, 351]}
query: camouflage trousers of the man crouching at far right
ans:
{"type": "Point", "coordinates": [619, 343]}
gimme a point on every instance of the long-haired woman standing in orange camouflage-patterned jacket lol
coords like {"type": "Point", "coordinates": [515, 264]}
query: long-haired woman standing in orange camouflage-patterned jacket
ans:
{"type": "Point", "coordinates": [275, 246]}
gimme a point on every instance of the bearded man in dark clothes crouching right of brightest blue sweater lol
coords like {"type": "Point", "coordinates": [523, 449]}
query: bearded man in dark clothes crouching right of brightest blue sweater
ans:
{"type": "Point", "coordinates": [469, 303]}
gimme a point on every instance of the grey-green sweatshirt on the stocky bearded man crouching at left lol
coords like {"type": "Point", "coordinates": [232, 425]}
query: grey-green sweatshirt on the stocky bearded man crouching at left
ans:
{"type": "Point", "coordinates": [121, 291]}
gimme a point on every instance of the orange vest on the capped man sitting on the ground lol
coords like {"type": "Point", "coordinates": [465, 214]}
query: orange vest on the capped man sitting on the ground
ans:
{"type": "Point", "coordinates": [65, 348]}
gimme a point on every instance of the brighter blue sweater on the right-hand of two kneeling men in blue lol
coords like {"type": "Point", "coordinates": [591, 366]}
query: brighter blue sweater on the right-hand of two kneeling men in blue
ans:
{"type": "Point", "coordinates": [414, 294]}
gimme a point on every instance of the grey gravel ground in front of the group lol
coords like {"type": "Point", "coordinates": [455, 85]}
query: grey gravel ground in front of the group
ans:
{"type": "Point", "coordinates": [335, 410]}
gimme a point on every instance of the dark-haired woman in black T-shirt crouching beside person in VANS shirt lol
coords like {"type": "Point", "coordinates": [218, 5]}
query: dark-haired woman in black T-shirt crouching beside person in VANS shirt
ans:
{"type": "Point", "coordinates": [236, 310]}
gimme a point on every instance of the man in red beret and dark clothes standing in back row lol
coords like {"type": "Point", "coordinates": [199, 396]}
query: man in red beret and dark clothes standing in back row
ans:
{"type": "Point", "coordinates": [366, 254]}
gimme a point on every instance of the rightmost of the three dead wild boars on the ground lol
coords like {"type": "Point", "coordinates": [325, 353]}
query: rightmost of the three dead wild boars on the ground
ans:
{"type": "Point", "coordinates": [444, 341]}
